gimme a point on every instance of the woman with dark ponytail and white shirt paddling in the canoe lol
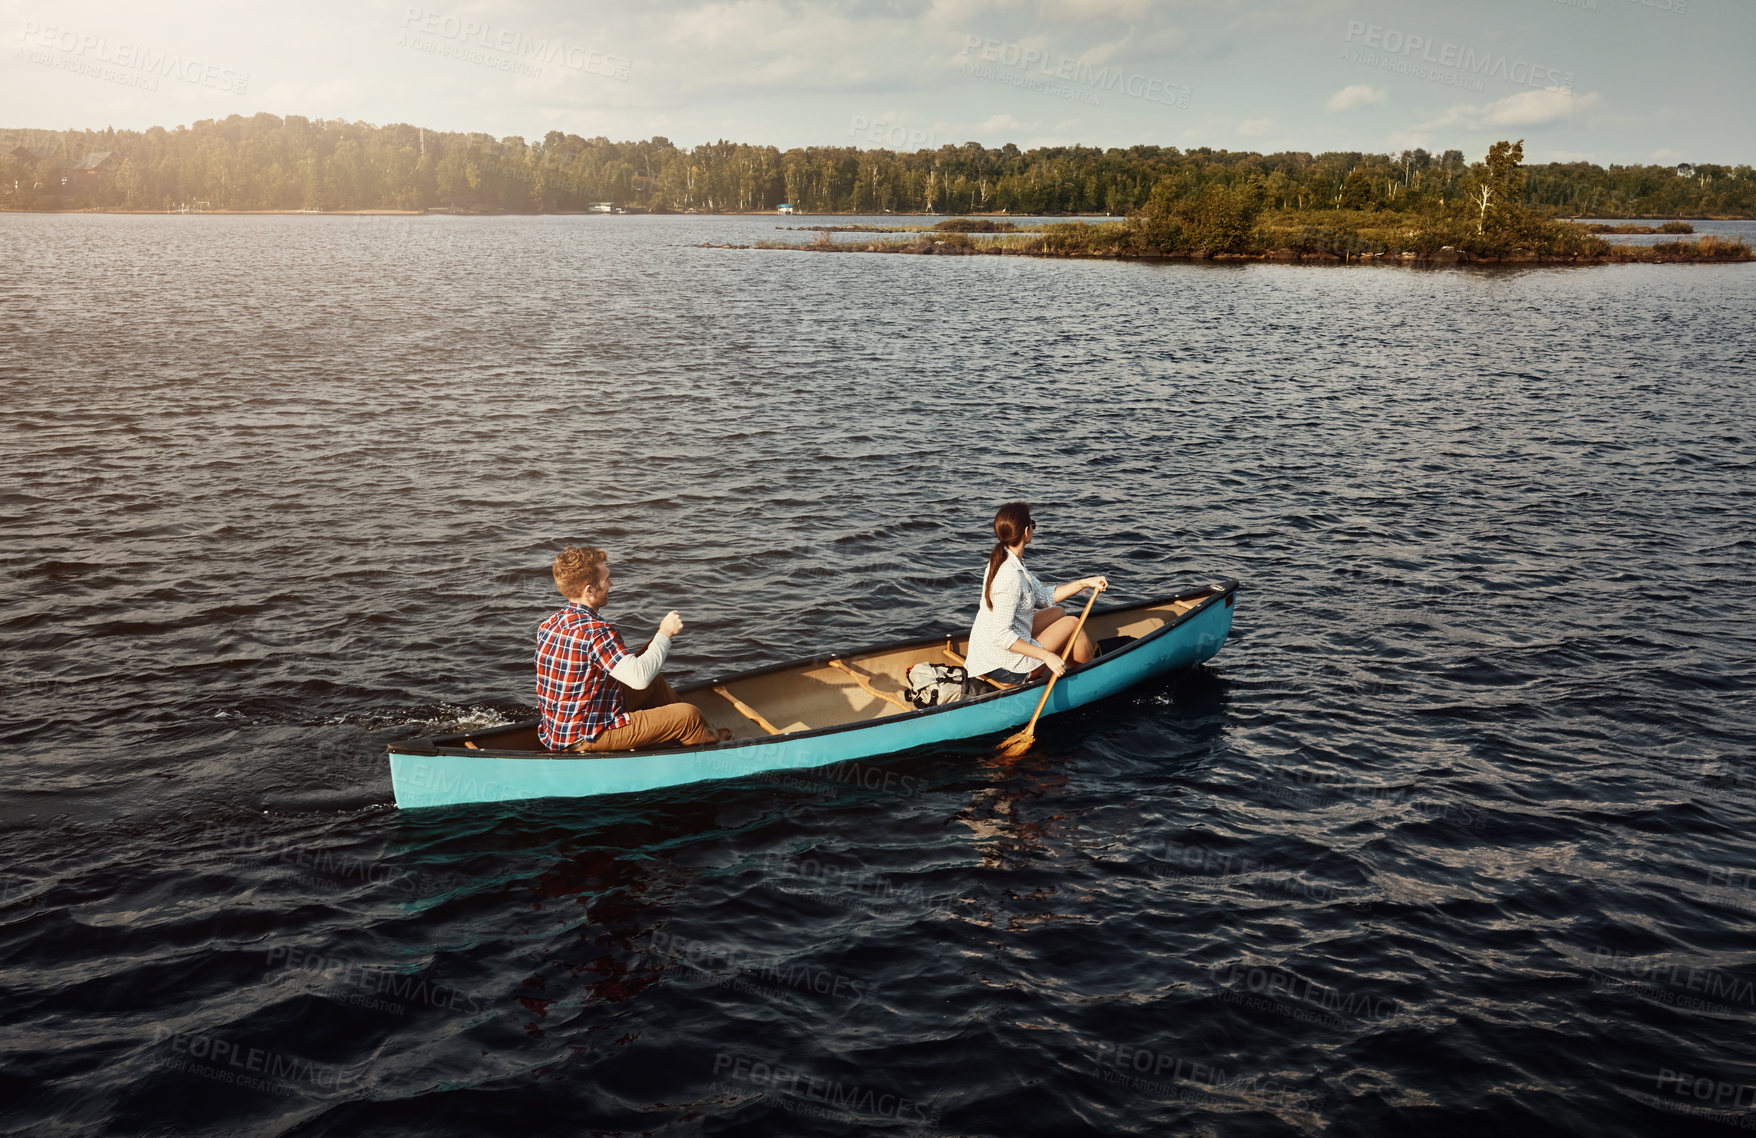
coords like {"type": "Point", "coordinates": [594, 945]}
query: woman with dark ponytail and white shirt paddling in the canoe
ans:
{"type": "Point", "coordinates": [1021, 628]}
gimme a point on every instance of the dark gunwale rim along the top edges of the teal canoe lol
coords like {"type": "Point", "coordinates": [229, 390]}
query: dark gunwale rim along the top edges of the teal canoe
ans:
{"type": "Point", "coordinates": [1218, 593]}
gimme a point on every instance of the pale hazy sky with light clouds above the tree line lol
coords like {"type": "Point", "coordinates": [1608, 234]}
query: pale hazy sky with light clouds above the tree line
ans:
{"type": "Point", "coordinates": [1578, 80]}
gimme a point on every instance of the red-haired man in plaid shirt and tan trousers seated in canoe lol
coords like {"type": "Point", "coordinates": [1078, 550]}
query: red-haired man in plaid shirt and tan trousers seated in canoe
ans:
{"type": "Point", "coordinates": [594, 693]}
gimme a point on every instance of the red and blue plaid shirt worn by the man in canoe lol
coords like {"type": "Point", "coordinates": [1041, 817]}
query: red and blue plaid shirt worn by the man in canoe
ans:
{"type": "Point", "coordinates": [575, 691]}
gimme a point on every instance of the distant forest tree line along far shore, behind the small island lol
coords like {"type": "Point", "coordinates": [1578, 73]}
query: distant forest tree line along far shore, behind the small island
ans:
{"type": "Point", "coordinates": [268, 162]}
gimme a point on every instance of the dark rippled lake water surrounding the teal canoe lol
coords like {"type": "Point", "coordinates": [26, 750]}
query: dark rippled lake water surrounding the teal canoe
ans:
{"type": "Point", "coordinates": [1453, 837]}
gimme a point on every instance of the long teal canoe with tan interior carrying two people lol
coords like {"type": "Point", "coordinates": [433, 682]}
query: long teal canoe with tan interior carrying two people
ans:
{"type": "Point", "coordinates": [814, 714]}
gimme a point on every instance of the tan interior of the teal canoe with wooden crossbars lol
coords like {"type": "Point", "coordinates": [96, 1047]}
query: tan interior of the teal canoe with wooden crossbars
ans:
{"type": "Point", "coordinates": [812, 696]}
